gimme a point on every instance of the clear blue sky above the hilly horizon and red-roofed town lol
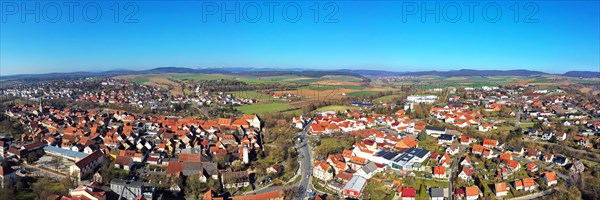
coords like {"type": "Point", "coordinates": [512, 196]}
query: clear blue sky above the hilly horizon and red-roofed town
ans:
{"type": "Point", "coordinates": [367, 35]}
